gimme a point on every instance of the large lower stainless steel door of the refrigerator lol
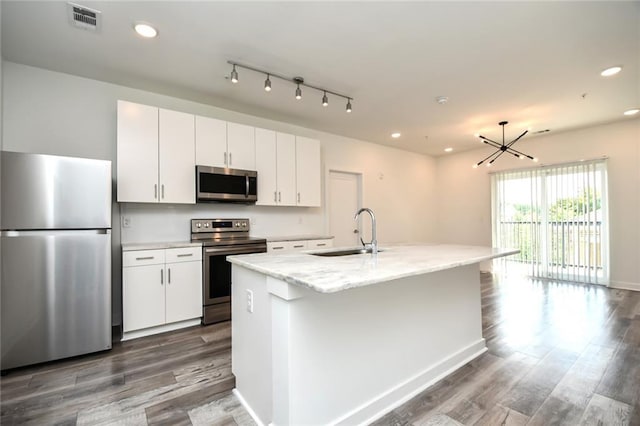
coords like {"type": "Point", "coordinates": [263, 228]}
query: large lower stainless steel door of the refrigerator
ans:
{"type": "Point", "coordinates": [56, 295]}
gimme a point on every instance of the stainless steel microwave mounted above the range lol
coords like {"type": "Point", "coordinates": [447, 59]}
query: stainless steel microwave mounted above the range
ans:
{"type": "Point", "coordinates": [222, 184]}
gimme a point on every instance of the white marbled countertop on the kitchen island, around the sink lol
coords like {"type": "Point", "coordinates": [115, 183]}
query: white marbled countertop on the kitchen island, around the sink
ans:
{"type": "Point", "coordinates": [337, 273]}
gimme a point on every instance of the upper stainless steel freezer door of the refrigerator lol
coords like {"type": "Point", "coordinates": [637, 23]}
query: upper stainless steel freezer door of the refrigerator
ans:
{"type": "Point", "coordinates": [52, 192]}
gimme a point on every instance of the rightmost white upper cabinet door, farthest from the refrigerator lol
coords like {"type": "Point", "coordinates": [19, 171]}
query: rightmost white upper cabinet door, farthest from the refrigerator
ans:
{"type": "Point", "coordinates": [308, 172]}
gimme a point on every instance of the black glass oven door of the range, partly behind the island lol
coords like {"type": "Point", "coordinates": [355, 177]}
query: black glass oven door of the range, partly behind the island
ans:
{"type": "Point", "coordinates": [217, 271]}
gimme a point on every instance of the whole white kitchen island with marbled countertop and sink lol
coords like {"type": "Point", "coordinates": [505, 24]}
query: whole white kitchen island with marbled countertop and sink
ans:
{"type": "Point", "coordinates": [343, 340]}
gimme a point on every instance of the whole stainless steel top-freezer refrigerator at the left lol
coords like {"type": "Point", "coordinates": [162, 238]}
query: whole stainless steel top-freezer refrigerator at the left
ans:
{"type": "Point", "coordinates": [56, 257]}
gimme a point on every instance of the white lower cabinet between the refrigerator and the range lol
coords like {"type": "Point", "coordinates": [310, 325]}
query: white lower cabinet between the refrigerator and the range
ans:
{"type": "Point", "coordinates": [161, 287]}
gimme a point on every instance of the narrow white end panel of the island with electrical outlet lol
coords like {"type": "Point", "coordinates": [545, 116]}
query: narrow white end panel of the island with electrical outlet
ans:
{"type": "Point", "coordinates": [251, 344]}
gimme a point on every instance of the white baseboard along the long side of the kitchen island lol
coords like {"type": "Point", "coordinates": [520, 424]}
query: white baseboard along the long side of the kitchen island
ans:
{"type": "Point", "coordinates": [398, 395]}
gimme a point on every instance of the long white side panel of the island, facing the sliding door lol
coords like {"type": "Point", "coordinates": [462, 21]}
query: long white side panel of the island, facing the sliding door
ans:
{"type": "Point", "coordinates": [347, 357]}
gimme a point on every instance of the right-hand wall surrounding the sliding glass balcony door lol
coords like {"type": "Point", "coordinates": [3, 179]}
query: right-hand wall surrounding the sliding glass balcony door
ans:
{"type": "Point", "coordinates": [464, 194]}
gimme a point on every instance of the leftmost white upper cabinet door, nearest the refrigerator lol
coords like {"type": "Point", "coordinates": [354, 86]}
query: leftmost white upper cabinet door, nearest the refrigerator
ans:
{"type": "Point", "coordinates": [137, 156]}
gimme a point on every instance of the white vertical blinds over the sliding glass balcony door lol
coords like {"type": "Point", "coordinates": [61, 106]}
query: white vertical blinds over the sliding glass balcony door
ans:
{"type": "Point", "coordinates": [557, 216]}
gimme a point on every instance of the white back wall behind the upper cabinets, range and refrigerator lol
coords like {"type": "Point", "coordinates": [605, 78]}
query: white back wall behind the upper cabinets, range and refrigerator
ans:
{"type": "Point", "coordinates": [54, 113]}
